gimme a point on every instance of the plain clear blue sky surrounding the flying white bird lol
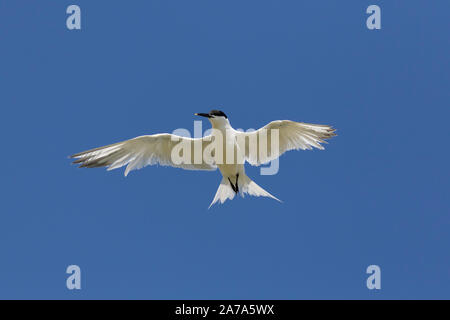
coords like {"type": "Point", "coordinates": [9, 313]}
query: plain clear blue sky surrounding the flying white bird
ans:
{"type": "Point", "coordinates": [377, 195]}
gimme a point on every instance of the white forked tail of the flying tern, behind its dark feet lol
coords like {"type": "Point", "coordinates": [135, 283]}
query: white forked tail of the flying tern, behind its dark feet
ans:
{"type": "Point", "coordinates": [246, 185]}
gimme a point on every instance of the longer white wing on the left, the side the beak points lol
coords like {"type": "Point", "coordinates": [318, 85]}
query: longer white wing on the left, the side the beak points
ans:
{"type": "Point", "coordinates": [143, 151]}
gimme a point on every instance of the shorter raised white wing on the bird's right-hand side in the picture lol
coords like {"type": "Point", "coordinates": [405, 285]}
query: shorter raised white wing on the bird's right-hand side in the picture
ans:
{"type": "Point", "coordinates": [291, 136]}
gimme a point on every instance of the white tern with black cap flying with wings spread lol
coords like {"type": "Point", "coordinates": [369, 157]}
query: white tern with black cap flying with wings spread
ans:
{"type": "Point", "coordinates": [159, 149]}
